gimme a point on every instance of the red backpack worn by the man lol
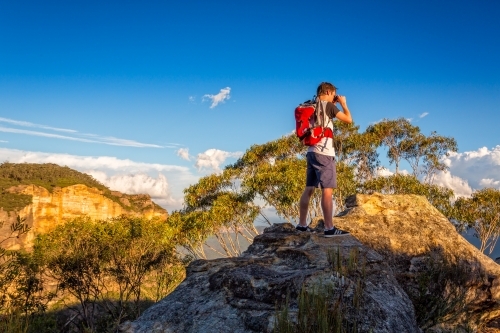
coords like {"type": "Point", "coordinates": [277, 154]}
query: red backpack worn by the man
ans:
{"type": "Point", "coordinates": [311, 123]}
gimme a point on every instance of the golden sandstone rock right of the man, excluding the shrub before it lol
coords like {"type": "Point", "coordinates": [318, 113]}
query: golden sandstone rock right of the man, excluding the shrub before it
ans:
{"type": "Point", "coordinates": [407, 230]}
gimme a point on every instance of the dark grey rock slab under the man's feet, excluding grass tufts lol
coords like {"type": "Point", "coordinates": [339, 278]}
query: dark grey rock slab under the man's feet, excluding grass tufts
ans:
{"type": "Point", "coordinates": [240, 294]}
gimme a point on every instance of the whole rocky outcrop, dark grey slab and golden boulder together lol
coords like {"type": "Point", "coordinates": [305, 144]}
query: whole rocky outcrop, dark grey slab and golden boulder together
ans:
{"type": "Point", "coordinates": [404, 268]}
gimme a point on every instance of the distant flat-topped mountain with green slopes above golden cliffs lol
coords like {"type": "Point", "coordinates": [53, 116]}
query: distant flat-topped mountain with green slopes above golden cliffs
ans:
{"type": "Point", "coordinates": [48, 194]}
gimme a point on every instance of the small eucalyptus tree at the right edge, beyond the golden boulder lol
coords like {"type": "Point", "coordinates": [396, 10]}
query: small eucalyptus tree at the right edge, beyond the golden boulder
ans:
{"type": "Point", "coordinates": [481, 213]}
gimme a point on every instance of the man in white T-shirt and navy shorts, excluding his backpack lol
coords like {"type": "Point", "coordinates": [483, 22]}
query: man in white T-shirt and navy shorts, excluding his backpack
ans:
{"type": "Point", "coordinates": [321, 168]}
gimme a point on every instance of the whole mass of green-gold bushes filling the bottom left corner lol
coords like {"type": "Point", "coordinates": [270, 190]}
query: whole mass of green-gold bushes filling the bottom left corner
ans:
{"type": "Point", "coordinates": [113, 269]}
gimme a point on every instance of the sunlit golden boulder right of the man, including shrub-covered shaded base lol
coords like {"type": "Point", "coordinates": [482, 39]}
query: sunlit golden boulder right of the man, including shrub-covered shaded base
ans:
{"type": "Point", "coordinates": [422, 246]}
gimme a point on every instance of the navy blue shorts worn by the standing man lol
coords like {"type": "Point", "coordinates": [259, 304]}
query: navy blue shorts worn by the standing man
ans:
{"type": "Point", "coordinates": [321, 171]}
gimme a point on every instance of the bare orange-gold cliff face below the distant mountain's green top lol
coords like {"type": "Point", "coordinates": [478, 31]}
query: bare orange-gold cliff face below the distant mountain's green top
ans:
{"type": "Point", "coordinates": [48, 209]}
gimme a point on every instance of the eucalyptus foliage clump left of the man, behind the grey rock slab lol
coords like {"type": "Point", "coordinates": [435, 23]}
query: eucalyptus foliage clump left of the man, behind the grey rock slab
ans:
{"type": "Point", "coordinates": [223, 205]}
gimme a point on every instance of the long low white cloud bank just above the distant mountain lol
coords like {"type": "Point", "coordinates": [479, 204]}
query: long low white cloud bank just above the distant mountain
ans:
{"type": "Point", "coordinates": [122, 175]}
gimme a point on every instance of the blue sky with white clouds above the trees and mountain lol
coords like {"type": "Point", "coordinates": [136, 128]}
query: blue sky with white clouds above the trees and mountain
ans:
{"type": "Point", "coordinates": [148, 96]}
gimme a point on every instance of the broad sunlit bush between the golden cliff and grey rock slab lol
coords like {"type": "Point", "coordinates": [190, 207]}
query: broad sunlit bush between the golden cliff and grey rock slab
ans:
{"type": "Point", "coordinates": [107, 266]}
